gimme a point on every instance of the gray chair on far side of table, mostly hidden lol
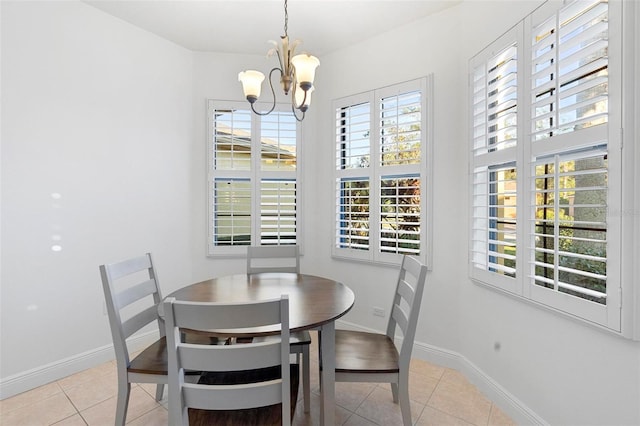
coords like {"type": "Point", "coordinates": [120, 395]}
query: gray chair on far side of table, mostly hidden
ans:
{"type": "Point", "coordinates": [285, 258]}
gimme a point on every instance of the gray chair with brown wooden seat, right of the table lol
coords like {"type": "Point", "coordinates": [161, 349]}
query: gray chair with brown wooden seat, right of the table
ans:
{"type": "Point", "coordinates": [374, 357]}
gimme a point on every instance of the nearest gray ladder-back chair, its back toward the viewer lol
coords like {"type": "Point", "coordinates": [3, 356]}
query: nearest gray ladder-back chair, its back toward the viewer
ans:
{"type": "Point", "coordinates": [244, 384]}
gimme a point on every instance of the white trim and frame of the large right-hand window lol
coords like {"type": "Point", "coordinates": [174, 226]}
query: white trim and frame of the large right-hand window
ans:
{"type": "Point", "coordinates": [621, 313]}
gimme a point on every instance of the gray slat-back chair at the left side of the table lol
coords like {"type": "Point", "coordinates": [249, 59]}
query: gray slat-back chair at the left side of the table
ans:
{"type": "Point", "coordinates": [132, 295]}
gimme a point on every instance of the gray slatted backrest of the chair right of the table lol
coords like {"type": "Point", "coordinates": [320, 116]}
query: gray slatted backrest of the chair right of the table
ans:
{"type": "Point", "coordinates": [406, 305]}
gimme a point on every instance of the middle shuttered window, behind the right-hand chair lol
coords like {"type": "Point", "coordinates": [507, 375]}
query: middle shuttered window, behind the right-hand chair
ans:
{"type": "Point", "coordinates": [381, 181]}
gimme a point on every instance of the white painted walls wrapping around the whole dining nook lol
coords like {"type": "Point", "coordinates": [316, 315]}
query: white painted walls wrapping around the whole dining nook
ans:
{"type": "Point", "coordinates": [73, 106]}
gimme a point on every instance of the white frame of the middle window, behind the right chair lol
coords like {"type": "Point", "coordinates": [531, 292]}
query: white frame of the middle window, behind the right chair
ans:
{"type": "Point", "coordinates": [375, 173]}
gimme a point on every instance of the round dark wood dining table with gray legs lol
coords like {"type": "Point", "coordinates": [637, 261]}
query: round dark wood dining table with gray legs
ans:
{"type": "Point", "coordinates": [314, 303]}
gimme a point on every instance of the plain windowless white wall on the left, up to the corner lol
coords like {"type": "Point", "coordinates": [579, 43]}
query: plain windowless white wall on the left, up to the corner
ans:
{"type": "Point", "coordinates": [100, 113]}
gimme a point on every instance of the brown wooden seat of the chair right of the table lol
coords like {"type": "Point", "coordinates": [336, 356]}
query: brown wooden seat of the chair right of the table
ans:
{"type": "Point", "coordinates": [363, 352]}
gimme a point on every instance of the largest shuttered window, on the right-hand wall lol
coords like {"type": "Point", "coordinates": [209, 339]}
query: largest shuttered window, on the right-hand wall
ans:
{"type": "Point", "coordinates": [545, 161]}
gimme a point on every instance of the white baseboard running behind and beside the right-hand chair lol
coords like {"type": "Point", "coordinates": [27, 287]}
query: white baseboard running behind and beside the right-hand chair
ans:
{"type": "Point", "coordinates": [507, 402]}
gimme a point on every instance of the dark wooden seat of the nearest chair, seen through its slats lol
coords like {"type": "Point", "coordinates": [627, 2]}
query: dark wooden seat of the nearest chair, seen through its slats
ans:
{"type": "Point", "coordinates": [269, 415]}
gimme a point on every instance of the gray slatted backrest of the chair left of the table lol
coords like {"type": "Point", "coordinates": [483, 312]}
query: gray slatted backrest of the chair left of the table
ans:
{"type": "Point", "coordinates": [132, 296]}
